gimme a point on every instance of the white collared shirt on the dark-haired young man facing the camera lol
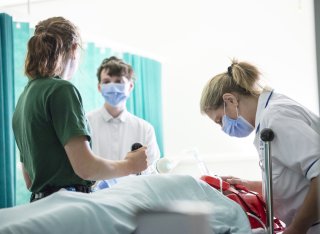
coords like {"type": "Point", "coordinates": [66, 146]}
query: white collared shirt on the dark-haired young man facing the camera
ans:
{"type": "Point", "coordinates": [112, 138]}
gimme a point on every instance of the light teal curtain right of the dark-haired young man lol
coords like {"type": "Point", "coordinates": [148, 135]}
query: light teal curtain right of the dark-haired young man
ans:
{"type": "Point", "coordinates": [145, 100]}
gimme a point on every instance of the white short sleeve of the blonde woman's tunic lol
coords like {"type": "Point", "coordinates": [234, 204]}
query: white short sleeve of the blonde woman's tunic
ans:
{"type": "Point", "coordinates": [296, 143]}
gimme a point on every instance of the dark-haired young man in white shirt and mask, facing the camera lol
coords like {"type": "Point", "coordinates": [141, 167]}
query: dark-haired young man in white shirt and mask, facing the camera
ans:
{"type": "Point", "coordinates": [114, 130]}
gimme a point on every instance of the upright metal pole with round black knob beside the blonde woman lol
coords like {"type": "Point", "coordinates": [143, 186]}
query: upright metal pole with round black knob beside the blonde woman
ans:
{"type": "Point", "coordinates": [267, 136]}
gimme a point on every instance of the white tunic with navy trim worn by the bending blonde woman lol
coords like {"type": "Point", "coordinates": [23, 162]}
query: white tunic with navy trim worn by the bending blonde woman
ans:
{"type": "Point", "coordinates": [295, 151]}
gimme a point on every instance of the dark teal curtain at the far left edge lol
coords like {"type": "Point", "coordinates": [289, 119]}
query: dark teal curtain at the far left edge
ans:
{"type": "Point", "coordinates": [7, 154]}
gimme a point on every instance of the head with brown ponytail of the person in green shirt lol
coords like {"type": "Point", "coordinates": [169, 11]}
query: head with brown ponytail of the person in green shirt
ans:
{"type": "Point", "coordinates": [52, 48]}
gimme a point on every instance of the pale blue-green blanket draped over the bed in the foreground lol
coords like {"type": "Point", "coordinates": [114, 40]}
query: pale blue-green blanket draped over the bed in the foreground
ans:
{"type": "Point", "coordinates": [114, 210]}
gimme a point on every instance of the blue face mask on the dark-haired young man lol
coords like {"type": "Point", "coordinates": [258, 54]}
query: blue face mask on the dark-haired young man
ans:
{"type": "Point", "coordinates": [115, 94]}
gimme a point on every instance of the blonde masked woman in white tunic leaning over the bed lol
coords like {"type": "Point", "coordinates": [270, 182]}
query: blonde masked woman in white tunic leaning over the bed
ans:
{"type": "Point", "coordinates": [236, 101]}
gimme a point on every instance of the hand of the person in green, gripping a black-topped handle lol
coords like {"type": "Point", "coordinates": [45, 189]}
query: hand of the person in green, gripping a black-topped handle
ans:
{"type": "Point", "coordinates": [137, 160]}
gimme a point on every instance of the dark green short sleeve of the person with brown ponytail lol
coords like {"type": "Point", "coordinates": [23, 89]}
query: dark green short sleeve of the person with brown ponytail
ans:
{"type": "Point", "coordinates": [67, 113]}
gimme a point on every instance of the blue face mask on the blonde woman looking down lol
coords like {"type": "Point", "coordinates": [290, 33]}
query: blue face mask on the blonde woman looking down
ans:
{"type": "Point", "coordinates": [238, 127]}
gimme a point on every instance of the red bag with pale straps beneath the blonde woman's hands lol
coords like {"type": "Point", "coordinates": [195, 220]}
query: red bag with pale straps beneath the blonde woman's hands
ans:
{"type": "Point", "coordinates": [251, 202]}
